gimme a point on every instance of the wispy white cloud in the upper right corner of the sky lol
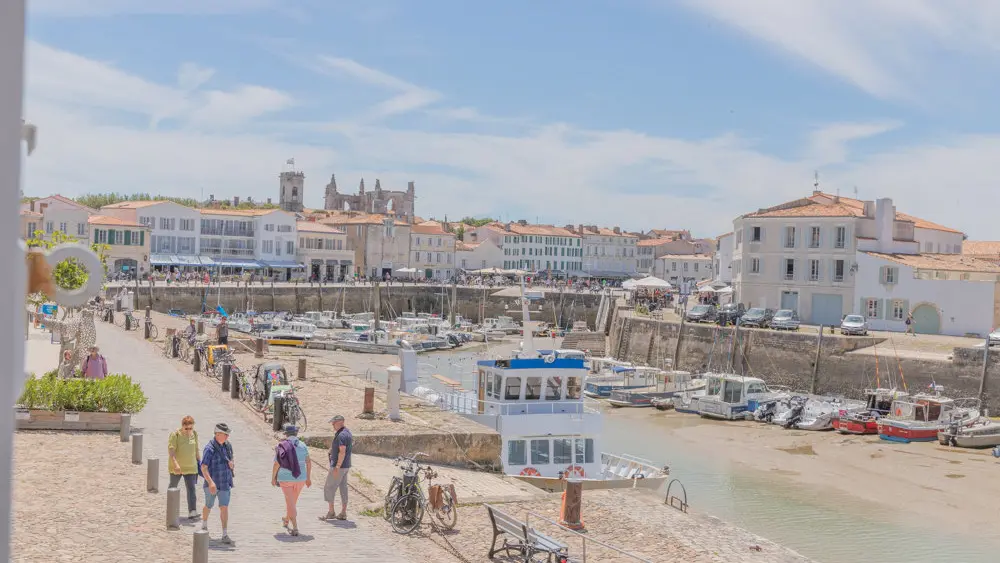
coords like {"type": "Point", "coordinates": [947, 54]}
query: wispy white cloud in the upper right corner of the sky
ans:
{"type": "Point", "coordinates": [884, 47]}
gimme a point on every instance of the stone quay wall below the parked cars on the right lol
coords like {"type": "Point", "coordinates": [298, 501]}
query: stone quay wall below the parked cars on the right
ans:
{"type": "Point", "coordinates": [788, 358]}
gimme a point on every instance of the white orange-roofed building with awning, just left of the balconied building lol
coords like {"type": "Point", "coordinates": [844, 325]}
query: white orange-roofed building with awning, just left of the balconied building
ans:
{"type": "Point", "coordinates": [173, 231]}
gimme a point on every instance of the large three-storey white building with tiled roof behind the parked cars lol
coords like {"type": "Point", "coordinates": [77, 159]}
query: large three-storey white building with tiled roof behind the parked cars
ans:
{"type": "Point", "coordinates": [801, 255]}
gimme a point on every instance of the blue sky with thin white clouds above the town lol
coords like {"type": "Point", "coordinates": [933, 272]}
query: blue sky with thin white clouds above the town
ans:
{"type": "Point", "coordinates": [633, 113]}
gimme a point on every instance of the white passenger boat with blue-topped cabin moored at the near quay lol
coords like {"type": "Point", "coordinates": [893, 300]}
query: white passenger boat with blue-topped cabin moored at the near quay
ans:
{"type": "Point", "coordinates": [535, 400]}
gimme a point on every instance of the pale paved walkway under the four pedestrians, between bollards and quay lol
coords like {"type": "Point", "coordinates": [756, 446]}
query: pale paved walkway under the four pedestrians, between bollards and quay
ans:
{"type": "Point", "coordinates": [257, 507]}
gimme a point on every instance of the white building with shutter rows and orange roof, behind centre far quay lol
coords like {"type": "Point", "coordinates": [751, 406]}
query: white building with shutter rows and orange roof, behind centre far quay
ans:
{"type": "Point", "coordinates": [536, 248]}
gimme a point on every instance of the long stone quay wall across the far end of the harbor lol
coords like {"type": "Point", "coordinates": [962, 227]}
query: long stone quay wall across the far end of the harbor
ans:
{"type": "Point", "coordinates": [395, 299]}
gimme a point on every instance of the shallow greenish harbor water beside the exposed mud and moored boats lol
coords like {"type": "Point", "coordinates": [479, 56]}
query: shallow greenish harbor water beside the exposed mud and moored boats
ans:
{"type": "Point", "coordinates": [826, 525]}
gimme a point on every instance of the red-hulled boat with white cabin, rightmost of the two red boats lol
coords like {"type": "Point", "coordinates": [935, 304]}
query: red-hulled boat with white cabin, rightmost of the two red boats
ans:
{"type": "Point", "coordinates": [921, 417]}
